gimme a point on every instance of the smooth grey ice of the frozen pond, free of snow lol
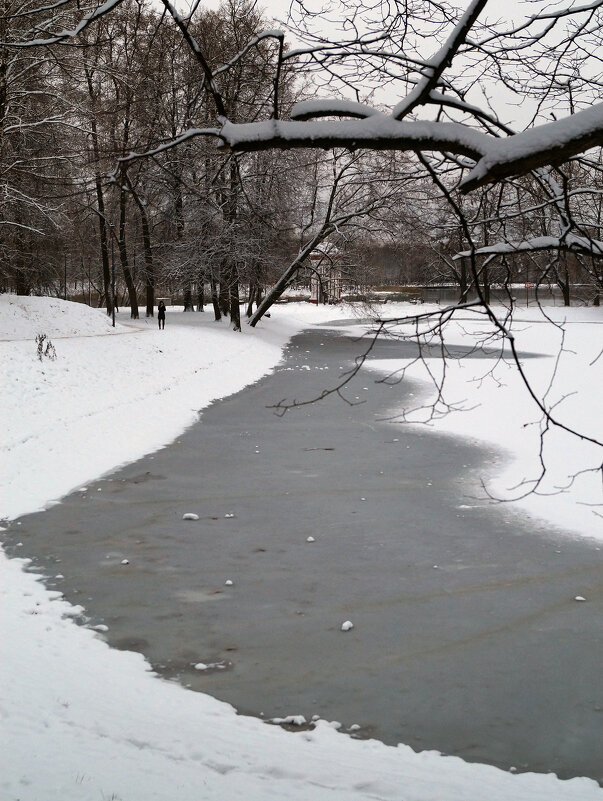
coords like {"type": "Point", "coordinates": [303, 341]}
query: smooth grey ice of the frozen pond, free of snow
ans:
{"type": "Point", "coordinates": [466, 637]}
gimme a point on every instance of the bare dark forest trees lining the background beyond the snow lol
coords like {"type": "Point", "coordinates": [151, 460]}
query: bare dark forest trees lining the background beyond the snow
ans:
{"type": "Point", "coordinates": [81, 218]}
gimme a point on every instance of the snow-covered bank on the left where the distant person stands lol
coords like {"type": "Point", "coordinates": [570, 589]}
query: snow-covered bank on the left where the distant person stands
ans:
{"type": "Point", "coordinates": [112, 395]}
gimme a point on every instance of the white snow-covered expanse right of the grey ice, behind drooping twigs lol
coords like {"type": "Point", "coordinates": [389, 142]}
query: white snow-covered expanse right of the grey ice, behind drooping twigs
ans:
{"type": "Point", "coordinates": [493, 407]}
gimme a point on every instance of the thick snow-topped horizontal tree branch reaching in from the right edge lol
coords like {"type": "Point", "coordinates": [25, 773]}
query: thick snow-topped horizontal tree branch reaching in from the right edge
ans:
{"type": "Point", "coordinates": [496, 157]}
